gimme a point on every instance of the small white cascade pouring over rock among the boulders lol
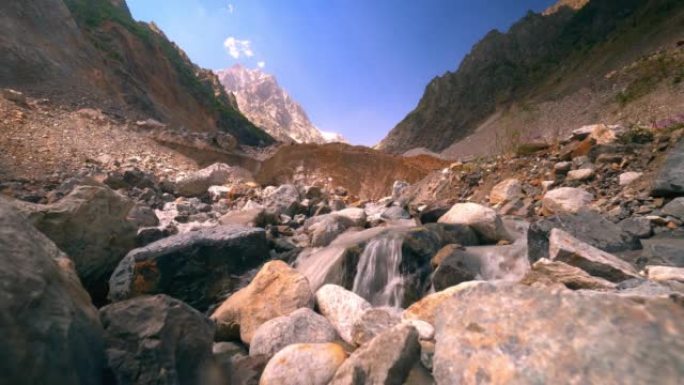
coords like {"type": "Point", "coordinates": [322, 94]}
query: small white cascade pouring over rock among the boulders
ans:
{"type": "Point", "coordinates": [378, 278]}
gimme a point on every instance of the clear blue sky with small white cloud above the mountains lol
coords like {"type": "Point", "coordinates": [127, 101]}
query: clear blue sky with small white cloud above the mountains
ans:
{"type": "Point", "coordinates": [358, 67]}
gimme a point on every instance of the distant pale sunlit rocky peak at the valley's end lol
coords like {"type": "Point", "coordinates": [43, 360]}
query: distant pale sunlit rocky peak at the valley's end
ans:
{"type": "Point", "coordinates": [264, 102]}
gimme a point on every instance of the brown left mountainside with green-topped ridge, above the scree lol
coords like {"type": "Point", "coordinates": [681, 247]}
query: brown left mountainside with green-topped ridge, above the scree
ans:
{"type": "Point", "coordinates": [93, 54]}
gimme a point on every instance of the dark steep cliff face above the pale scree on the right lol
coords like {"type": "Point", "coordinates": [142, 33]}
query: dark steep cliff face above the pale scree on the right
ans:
{"type": "Point", "coordinates": [541, 58]}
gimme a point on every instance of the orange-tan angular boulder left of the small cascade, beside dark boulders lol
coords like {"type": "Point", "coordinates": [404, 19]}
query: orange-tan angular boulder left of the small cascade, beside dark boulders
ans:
{"type": "Point", "coordinates": [277, 290]}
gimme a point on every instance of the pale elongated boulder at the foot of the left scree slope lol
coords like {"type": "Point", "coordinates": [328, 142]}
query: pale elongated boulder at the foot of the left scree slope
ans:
{"type": "Point", "coordinates": [197, 183]}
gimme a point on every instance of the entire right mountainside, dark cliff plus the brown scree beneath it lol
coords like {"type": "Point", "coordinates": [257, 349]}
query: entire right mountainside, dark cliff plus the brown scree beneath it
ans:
{"type": "Point", "coordinates": [607, 60]}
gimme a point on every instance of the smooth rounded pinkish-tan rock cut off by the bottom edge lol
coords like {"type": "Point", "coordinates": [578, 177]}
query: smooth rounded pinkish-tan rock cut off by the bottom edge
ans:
{"type": "Point", "coordinates": [312, 364]}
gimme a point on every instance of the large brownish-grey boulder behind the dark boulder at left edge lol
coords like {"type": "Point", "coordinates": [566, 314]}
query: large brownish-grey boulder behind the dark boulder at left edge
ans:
{"type": "Point", "coordinates": [90, 226]}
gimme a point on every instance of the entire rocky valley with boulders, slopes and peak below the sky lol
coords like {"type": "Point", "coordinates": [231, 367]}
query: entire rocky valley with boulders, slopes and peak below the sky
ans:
{"type": "Point", "coordinates": [162, 224]}
